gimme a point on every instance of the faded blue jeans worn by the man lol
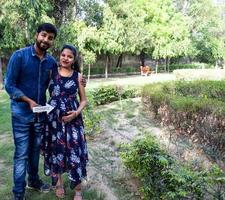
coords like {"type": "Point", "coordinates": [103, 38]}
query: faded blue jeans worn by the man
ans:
{"type": "Point", "coordinates": [27, 138]}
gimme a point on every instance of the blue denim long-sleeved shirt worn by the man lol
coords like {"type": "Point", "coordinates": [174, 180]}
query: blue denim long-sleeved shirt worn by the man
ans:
{"type": "Point", "coordinates": [27, 75]}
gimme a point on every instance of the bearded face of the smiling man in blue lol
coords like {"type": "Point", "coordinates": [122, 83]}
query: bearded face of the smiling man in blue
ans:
{"type": "Point", "coordinates": [44, 40]}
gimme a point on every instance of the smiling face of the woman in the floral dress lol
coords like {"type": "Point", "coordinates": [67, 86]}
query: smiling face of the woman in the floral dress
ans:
{"type": "Point", "coordinates": [66, 58]}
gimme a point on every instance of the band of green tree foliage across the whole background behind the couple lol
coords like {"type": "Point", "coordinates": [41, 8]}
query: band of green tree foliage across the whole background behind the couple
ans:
{"type": "Point", "coordinates": [163, 30]}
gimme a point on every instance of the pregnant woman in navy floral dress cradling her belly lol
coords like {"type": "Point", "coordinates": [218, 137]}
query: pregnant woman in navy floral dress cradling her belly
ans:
{"type": "Point", "coordinates": [64, 144]}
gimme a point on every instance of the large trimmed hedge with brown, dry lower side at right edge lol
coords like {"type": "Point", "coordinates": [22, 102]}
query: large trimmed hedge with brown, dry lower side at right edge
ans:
{"type": "Point", "coordinates": [195, 109]}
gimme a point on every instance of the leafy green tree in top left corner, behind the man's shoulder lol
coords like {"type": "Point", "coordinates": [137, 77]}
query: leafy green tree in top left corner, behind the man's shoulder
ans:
{"type": "Point", "coordinates": [18, 23]}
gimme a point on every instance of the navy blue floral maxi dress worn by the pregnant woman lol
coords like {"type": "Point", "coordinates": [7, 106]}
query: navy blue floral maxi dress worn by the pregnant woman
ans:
{"type": "Point", "coordinates": [63, 144]}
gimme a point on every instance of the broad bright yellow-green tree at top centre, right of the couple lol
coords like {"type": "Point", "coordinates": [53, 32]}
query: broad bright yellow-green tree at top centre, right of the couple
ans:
{"type": "Point", "coordinates": [153, 28]}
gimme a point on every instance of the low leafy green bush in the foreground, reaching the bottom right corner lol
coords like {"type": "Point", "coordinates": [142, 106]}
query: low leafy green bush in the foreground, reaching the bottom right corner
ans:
{"type": "Point", "coordinates": [164, 178]}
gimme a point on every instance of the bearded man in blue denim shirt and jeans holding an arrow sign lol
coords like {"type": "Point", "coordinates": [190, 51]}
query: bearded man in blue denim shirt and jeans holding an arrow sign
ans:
{"type": "Point", "coordinates": [26, 82]}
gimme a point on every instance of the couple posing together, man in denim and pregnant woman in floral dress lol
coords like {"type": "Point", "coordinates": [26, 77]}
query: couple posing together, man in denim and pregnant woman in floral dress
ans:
{"type": "Point", "coordinates": [60, 134]}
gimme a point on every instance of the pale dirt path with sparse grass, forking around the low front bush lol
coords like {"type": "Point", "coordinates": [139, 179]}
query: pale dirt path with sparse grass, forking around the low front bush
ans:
{"type": "Point", "coordinates": [106, 171]}
